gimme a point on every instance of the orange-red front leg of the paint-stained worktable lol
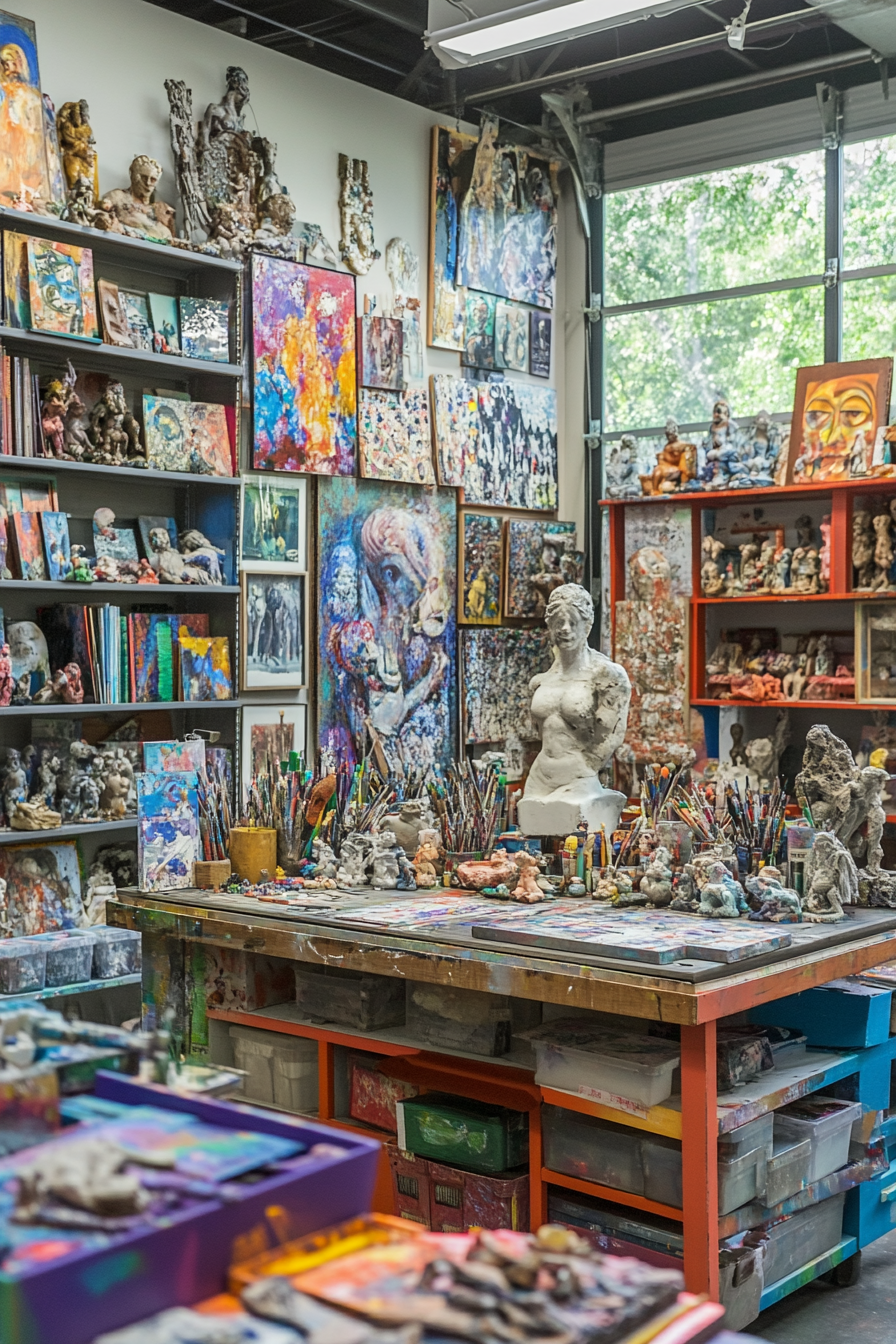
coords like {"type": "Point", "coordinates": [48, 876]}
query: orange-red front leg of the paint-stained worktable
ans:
{"type": "Point", "coordinates": [699, 1173]}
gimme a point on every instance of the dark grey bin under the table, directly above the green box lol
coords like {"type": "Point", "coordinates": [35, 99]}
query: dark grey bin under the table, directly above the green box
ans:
{"type": "Point", "coordinates": [460, 1019]}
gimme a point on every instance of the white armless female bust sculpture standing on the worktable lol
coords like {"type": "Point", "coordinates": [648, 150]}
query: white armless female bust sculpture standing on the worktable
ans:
{"type": "Point", "coordinates": [581, 708]}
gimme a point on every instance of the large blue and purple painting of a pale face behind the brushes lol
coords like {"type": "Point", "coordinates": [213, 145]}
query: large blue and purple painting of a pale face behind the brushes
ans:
{"type": "Point", "coordinates": [388, 658]}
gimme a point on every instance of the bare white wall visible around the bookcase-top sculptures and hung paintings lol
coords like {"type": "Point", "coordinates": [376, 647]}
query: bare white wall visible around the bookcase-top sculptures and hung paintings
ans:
{"type": "Point", "coordinates": [118, 54]}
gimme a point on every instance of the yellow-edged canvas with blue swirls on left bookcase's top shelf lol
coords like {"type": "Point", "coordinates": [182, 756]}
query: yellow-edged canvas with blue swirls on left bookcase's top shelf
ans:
{"type": "Point", "coordinates": [61, 290]}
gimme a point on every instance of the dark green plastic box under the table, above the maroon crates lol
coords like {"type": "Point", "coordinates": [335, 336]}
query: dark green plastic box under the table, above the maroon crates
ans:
{"type": "Point", "coordinates": [465, 1134]}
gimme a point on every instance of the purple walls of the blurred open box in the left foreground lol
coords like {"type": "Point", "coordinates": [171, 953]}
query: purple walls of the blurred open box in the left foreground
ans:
{"type": "Point", "coordinates": [101, 1290]}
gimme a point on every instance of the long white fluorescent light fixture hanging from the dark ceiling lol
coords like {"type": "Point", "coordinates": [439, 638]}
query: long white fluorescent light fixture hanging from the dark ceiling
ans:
{"type": "Point", "coordinates": [507, 32]}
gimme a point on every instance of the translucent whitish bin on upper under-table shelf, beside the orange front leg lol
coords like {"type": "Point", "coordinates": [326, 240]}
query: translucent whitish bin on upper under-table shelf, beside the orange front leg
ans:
{"type": "Point", "coordinates": [582, 1056]}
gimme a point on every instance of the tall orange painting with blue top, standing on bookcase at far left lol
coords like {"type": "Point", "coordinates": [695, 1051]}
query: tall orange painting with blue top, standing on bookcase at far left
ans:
{"type": "Point", "coordinates": [24, 153]}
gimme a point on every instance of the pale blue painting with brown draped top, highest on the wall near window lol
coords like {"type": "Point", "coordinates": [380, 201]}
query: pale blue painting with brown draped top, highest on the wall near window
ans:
{"type": "Point", "coordinates": [508, 222]}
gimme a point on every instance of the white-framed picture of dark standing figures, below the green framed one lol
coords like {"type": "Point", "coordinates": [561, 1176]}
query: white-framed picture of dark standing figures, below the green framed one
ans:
{"type": "Point", "coordinates": [273, 631]}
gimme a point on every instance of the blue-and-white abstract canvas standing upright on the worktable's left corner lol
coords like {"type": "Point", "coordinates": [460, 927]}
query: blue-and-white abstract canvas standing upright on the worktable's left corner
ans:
{"type": "Point", "coordinates": [169, 842]}
